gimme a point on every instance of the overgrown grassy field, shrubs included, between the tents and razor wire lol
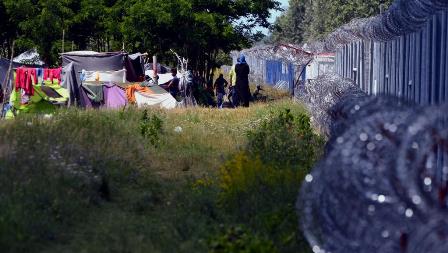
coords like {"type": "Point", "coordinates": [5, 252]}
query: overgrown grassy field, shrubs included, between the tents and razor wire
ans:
{"type": "Point", "coordinates": [186, 180]}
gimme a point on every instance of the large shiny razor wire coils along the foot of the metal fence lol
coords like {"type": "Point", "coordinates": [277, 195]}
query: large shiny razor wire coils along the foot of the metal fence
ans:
{"type": "Point", "coordinates": [383, 183]}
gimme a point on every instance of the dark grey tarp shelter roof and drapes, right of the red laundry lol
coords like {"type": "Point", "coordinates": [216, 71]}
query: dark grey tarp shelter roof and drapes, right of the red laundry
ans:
{"type": "Point", "coordinates": [75, 62]}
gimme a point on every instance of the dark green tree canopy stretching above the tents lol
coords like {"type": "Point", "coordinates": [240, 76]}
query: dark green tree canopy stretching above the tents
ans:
{"type": "Point", "coordinates": [198, 29]}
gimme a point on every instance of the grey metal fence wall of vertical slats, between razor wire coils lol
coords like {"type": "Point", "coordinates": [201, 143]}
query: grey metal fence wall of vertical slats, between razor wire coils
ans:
{"type": "Point", "coordinates": [412, 66]}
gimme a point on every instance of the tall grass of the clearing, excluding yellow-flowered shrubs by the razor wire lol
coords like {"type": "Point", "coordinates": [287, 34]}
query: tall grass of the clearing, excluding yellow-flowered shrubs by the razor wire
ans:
{"type": "Point", "coordinates": [92, 181]}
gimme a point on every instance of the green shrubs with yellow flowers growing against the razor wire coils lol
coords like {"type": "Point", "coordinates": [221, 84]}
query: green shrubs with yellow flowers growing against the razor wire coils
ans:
{"type": "Point", "coordinates": [259, 185]}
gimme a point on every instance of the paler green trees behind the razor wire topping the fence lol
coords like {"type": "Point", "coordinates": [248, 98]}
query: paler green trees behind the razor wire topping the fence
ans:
{"type": "Point", "coordinates": [308, 20]}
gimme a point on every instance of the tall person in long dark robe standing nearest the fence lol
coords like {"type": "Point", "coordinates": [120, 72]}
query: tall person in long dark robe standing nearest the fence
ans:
{"type": "Point", "coordinates": [242, 71]}
